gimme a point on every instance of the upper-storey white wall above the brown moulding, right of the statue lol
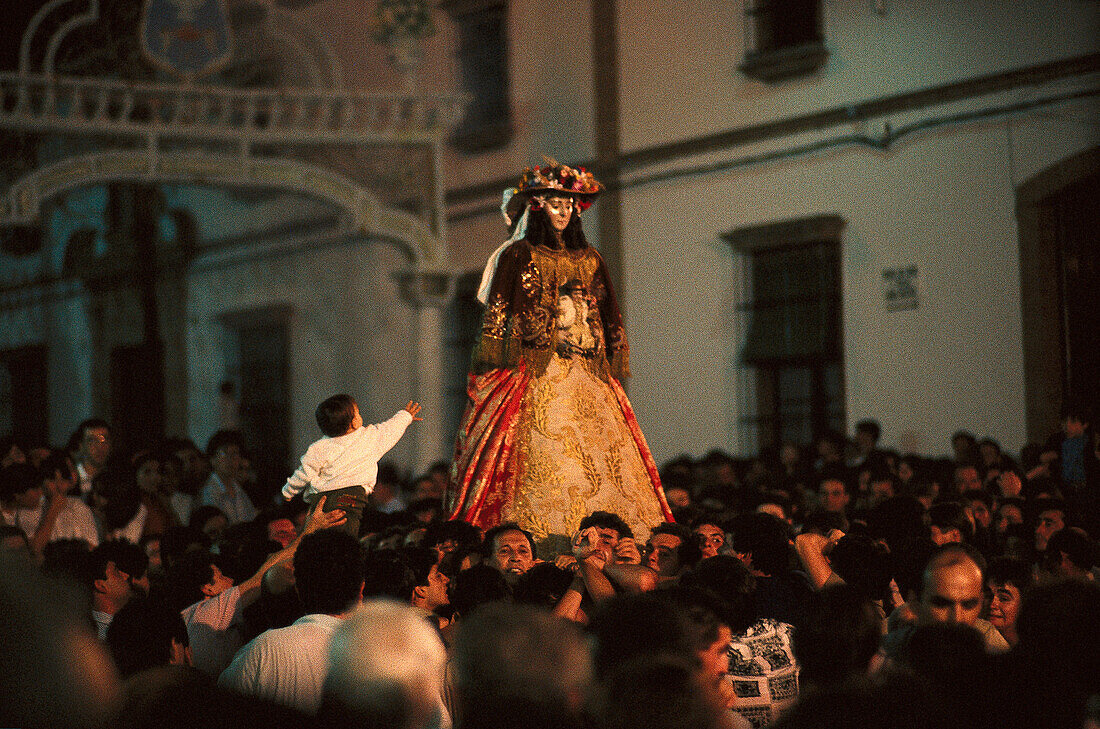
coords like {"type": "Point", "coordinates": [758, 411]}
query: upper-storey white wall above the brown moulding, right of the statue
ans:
{"type": "Point", "coordinates": [680, 76]}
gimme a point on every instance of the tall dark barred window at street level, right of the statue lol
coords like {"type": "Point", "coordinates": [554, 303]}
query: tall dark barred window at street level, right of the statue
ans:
{"type": "Point", "coordinates": [793, 355]}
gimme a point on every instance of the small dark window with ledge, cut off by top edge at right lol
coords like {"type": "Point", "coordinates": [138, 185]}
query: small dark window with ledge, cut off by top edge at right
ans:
{"type": "Point", "coordinates": [785, 39]}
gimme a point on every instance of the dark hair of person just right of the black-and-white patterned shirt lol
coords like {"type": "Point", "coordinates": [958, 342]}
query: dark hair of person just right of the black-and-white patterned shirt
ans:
{"type": "Point", "coordinates": [840, 636]}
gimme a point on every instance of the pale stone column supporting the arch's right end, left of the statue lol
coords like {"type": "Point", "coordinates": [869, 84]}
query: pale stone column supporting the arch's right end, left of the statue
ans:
{"type": "Point", "coordinates": [430, 292]}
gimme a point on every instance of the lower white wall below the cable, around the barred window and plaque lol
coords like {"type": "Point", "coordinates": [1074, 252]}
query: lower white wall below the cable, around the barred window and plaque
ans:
{"type": "Point", "coordinates": [943, 202]}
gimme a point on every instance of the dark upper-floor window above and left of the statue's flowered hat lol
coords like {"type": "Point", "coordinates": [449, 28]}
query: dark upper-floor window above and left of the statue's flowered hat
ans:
{"type": "Point", "coordinates": [483, 56]}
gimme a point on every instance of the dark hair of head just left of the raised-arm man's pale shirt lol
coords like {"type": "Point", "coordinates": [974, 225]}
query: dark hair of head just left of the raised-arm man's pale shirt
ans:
{"type": "Point", "coordinates": [141, 634]}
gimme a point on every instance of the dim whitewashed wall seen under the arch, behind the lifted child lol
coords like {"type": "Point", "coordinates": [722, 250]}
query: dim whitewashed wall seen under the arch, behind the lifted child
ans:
{"type": "Point", "coordinates": [350, 332]}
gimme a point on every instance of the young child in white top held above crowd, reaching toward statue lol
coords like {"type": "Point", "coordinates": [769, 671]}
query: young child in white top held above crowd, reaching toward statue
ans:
{"type": "Point", "coordinates": [344, 466]}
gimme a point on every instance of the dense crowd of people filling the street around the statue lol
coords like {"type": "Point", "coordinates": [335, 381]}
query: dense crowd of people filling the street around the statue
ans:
{"type": "Point", "coordinates": [837, 586]}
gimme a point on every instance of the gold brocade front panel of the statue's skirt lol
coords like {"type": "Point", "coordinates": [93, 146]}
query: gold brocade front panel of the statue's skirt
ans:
{"type": "Point", "coordinates": [578, 457]}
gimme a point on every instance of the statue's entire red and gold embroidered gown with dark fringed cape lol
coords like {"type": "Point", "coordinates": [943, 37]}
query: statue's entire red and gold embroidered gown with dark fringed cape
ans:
{"type": "Point", "coordinates": [549, 436]}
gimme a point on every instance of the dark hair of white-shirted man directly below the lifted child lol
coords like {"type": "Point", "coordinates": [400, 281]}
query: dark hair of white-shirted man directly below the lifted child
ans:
{"type": "Point", "coordinates": [327, 572]}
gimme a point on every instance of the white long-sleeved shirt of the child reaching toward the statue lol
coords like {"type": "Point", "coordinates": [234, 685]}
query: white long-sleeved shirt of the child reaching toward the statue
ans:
{"type": "Point", "coordinates": [349, 460]}
